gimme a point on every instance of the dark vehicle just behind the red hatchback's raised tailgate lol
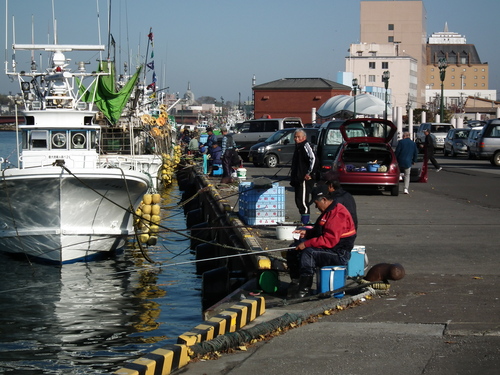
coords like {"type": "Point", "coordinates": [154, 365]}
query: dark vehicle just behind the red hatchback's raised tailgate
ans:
{"type": "Point", "coordinates": [329, 142]}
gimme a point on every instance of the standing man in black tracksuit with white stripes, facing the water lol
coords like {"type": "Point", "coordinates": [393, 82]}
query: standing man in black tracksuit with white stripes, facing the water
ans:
{"type": "Point", "coordinates": [303, 162]}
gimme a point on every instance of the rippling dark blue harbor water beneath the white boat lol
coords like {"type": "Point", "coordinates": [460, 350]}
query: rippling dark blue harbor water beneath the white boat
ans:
{"type": "Point", "coordinates": [89, 318]}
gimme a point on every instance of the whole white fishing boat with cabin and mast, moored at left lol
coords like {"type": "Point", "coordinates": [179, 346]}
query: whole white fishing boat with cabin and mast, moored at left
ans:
{"type": "Point", "coordinates": [65, 201]}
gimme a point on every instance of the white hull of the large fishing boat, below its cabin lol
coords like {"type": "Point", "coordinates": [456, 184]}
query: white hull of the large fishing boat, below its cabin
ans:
{"type": "Point", "coordinates": [52, 215]}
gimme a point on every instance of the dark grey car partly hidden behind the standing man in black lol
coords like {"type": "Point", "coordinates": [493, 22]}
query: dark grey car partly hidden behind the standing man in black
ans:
{"type": "Point", "coordinates": [279, 148]}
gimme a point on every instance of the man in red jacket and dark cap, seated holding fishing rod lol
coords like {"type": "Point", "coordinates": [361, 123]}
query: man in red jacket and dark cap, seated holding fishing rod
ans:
{"type": "Point", "coordinates": [328, 243]}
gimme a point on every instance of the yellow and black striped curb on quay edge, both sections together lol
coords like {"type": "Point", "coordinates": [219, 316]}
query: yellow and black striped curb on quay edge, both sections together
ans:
{"type": "Point", "coordinates": [174, 356]}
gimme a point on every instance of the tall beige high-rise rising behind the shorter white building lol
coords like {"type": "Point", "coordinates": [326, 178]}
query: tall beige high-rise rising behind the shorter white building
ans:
{"type": "Point", "coordinates": [402, 23]}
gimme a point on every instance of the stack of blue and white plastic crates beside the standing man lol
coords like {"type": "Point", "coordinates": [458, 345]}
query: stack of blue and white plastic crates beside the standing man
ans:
{"type": "Point", "coordinates": [261, 206]}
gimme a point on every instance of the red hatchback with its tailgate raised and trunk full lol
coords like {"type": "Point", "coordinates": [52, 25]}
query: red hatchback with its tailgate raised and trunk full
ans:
{"type": "Point", "coordinates": [366, 158]}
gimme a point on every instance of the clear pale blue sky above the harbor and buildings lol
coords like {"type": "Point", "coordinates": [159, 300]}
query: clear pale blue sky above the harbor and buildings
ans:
{"type": "Point", "coordinates": [219, 45]}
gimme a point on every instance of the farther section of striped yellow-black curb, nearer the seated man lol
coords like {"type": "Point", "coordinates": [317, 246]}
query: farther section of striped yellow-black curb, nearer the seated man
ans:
{"type": "Point", "coordinates": [230, 320]}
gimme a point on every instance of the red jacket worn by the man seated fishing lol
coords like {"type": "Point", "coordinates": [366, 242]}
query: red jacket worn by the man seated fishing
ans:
{"type": "Point", "coordinates": [338, 223]}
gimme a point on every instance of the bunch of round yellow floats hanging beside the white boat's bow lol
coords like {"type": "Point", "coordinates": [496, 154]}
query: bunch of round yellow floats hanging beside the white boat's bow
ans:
{"type": "Point", "coordinates": [148, 219]}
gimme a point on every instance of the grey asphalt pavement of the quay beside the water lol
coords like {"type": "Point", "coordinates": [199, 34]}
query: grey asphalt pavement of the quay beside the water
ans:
{"type": "Point", "coordinates": [441, 318]}
